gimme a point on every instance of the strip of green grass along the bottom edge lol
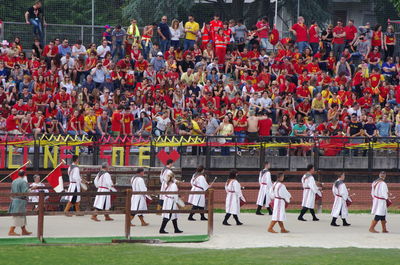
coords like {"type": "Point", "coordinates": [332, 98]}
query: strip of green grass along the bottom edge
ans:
{"type": "Point", "coordinates": [144, 254]}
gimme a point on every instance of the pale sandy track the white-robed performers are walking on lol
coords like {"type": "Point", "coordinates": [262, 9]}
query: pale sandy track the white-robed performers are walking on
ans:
{"type": "Point", "coordinates": [252, 234]}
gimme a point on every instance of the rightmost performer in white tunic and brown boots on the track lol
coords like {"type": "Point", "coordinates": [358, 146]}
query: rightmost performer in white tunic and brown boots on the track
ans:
{"type": "Point", "coordinates": [380, 195]}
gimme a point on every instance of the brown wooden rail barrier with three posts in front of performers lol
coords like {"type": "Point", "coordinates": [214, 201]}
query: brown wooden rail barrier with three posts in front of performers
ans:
{"type": "Point", "coordinates": [127, 207]}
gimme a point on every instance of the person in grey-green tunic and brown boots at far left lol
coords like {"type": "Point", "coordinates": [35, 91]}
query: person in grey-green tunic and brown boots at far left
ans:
{"type": "Point", "coordinates": [18, 204]}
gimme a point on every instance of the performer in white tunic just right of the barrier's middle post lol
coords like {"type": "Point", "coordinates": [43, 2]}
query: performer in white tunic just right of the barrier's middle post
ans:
{"type": "Point", "coordinates": [139, 201]}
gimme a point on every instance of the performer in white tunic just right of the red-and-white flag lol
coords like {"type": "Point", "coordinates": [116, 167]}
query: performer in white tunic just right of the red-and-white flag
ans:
{"type": "Point", "coordinates": [74, 186]}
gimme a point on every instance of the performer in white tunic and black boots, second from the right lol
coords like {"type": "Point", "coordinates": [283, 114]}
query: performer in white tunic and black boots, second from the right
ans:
{"type": "Point", "coordinates": [341, 195]}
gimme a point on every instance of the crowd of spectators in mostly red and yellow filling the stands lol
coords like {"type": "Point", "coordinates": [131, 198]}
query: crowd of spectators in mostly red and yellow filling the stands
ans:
{"type": "Point", "coordinates": [219, 79]}
